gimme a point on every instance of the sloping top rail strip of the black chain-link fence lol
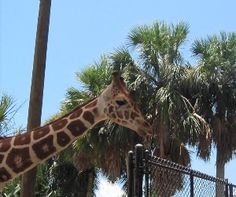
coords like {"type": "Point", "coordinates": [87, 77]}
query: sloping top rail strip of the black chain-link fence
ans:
{"type": "Point", "coordinates": [177, 167]}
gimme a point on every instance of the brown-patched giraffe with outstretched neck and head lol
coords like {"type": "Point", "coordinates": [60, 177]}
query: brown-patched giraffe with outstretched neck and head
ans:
{"type": "Point", "coordinates": [22, 152]}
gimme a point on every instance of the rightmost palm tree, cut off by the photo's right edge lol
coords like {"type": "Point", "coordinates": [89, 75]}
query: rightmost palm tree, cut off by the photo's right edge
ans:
{"type": "Point", "coordinates": [217, 68]}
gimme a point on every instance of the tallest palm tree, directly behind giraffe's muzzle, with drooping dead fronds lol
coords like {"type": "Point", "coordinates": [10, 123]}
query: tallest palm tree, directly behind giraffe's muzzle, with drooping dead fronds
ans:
{"type": "Point", "coordinates": [164, 74]}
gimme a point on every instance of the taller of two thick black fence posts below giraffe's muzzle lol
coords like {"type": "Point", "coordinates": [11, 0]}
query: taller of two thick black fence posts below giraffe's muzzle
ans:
{"type": "Point", "coordinates": [138, 174]}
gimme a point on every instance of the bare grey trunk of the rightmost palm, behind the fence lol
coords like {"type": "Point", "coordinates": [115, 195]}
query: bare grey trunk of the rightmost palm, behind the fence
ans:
{"type": "Point", "coordinates": [220, 173]}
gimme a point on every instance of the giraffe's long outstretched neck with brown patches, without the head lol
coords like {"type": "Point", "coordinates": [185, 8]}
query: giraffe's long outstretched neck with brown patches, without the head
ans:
{"type": "Point", "coordinates": [21, 153]}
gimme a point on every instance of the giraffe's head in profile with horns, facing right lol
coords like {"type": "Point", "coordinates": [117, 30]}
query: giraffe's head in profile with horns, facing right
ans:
{"type": "Point", "coordinates": [121, 109]}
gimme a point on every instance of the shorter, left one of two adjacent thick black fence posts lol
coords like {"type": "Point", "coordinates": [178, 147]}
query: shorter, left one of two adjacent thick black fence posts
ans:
{"type": "Point", "coordinates": [130, 173]}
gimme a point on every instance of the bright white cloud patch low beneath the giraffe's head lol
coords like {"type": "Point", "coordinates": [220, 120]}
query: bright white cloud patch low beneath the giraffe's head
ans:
{"type": "Point", "coordinates": [107, 189]}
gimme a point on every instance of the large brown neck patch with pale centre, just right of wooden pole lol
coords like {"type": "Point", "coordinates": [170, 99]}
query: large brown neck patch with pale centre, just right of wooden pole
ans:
{"type": "Point", "coordinates": [39, 147]}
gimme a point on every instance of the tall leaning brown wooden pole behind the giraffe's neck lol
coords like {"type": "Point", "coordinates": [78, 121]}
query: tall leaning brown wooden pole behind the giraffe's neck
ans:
{"type": "Point", "coordinates": [37, 85]}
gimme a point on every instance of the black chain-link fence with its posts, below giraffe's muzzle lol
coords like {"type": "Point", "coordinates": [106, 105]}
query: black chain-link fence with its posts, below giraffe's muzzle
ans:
{"type": "Point", "coordinates": [152, 176]}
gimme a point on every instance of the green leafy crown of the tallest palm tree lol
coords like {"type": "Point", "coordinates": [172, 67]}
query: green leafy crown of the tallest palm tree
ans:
{"type": "Point", "coordinates": [159, 44]}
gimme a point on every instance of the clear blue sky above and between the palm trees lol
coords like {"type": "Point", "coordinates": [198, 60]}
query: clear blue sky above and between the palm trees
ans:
{"type": "Point", "coordinates": [81, 31]}
